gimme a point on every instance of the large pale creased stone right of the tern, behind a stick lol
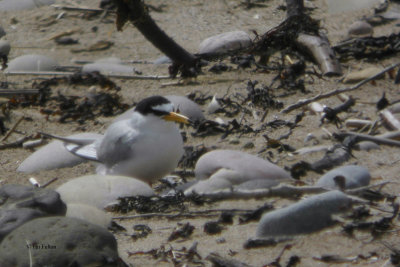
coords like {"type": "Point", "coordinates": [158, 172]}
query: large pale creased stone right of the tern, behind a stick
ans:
{"type": "Point", "coordinates": [221, 169]}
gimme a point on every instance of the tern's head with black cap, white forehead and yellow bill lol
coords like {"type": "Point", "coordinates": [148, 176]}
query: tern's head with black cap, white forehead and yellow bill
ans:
{"type": "Point", "coordinates": [161, 107]}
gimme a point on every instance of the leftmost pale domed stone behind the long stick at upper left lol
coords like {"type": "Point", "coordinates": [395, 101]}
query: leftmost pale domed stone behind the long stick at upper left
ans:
{"type": "Point", "coordinates": [32, 63]}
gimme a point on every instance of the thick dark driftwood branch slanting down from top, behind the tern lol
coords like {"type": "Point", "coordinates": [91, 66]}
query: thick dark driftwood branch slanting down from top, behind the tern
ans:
{"type": "Point", "coordinates": [137, 13]}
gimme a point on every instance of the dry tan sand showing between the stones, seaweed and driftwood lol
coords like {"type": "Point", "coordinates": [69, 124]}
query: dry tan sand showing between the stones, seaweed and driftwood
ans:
{"type": "Point", "coordinates": [189, 22]}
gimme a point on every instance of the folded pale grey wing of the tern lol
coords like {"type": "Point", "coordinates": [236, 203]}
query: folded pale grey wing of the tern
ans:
{"type": "Point", "coordinates": [117, 145]}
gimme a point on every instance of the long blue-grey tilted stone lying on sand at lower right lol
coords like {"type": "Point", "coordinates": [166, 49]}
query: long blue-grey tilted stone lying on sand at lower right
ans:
{"type": "Point", "coordinates": [306, 216]}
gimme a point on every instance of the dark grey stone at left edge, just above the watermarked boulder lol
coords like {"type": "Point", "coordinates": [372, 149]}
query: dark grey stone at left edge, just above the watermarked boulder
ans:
{"type": "Point", "coordinates": [20, 203]}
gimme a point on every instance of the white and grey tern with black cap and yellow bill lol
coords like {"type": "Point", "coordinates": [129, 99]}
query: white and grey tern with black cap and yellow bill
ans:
{"type": "Point", "coordinates": [147, 146]}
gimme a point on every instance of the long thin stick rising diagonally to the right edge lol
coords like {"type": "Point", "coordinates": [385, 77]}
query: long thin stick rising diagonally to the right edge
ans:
{"type": "Point", "coordinates": [304, 102]}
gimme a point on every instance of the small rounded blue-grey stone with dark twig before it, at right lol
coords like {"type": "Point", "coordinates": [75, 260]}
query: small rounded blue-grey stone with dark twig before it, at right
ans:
{"type": "Point", "coordinates": [354, 176]}
